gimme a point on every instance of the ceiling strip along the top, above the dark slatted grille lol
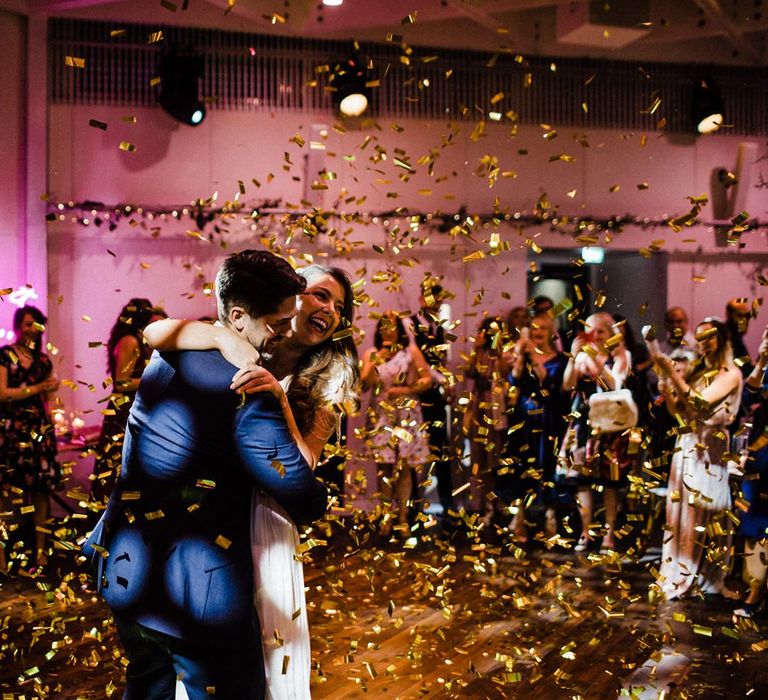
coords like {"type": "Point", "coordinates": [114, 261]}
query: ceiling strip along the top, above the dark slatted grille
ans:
{"type": "Point", "coordinates": [705, 31]}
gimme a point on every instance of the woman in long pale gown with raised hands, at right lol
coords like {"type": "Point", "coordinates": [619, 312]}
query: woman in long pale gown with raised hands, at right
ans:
{"type": "Point", "coordinates": [696, 550]}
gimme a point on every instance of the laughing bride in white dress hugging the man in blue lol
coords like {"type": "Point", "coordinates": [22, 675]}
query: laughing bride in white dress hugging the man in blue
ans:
{"type": "Point", "coordinates": [314, 375]}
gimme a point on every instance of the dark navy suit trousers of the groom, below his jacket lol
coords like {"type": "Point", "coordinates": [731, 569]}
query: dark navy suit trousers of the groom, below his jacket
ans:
{"type": "Point", "coordinates": [156, 660]}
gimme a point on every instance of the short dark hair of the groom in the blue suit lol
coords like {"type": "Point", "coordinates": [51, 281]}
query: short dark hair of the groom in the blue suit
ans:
{"type": "Point", "coordinates": [257, 280]}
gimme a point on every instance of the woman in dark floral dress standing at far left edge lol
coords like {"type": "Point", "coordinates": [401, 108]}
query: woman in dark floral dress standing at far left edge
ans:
{"type": "Point", "coordinates": [27, 437]}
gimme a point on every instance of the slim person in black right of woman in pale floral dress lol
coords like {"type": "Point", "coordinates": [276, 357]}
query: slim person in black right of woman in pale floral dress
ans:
{"type": "Point", "coordinates": [431, 340]}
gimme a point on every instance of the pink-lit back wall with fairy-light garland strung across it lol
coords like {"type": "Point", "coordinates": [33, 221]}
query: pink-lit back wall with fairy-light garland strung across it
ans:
{"type": "Point", "coordinates": [93, 271]}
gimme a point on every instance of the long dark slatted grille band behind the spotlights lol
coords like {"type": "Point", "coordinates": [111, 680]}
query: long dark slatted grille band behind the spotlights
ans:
{"type": "Point", "coordinates": [257, 72]}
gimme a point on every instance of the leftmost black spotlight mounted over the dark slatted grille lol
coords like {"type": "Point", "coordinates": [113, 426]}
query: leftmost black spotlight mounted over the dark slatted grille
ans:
{"type": "Point", "coordinates": [180, 74]}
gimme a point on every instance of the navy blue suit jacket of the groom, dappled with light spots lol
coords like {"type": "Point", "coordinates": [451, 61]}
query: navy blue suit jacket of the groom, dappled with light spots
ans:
{"type": "Point", "coordinates": [176, 531]}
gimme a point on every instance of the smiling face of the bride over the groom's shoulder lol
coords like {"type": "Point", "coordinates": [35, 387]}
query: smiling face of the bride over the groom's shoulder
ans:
{"type": "Point", "coordinates": [321, 306]}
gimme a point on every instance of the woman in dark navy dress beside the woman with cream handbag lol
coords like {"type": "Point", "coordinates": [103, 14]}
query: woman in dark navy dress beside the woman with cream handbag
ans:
{"type": "Point", "coordinates": [537, 421]}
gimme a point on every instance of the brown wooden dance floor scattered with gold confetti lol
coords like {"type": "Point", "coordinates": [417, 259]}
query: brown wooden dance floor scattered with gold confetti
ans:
{"type": "Point", "coordinates": [448, 619]}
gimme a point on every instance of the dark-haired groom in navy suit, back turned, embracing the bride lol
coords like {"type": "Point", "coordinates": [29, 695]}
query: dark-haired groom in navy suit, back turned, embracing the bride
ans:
{"type": "Point", "coordinates": [174, 541]}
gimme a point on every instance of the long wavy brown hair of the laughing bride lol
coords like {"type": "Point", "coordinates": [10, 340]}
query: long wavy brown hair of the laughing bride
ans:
{"type": "Point", "coordinates": [328, 374]}
